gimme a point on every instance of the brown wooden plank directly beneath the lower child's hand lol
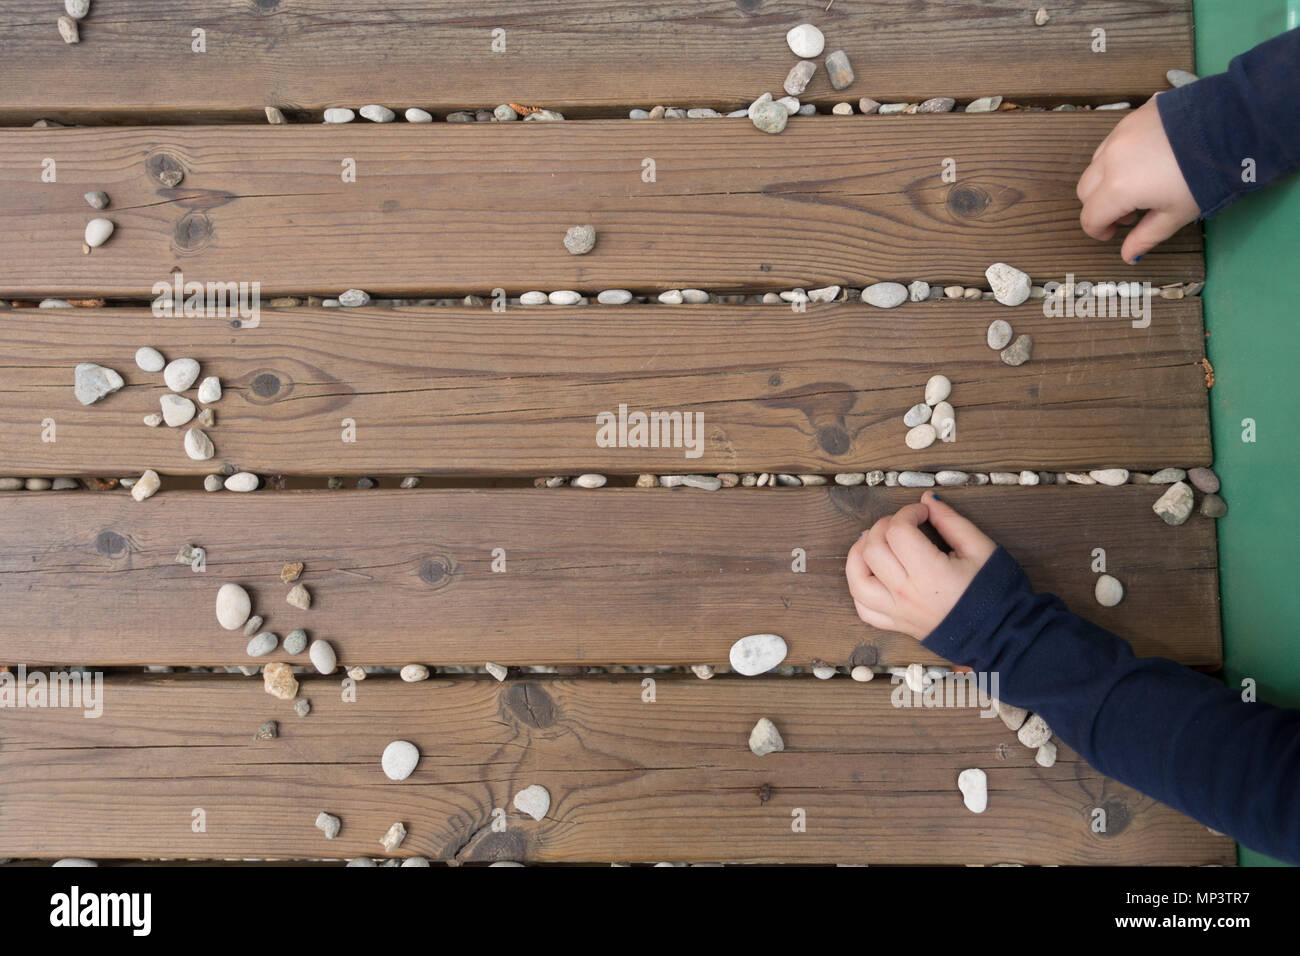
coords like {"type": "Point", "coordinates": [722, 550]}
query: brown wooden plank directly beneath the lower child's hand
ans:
{"type": "Point", "coordinates": [622, 576]}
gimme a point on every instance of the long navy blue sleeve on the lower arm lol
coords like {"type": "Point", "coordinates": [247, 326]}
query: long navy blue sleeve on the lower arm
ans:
{"type": "Point", "coordinates": [1172, 733]}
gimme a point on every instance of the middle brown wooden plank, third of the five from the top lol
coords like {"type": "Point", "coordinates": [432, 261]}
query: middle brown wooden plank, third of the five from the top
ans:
{"type": "Point", "coordinates": [469, 392]}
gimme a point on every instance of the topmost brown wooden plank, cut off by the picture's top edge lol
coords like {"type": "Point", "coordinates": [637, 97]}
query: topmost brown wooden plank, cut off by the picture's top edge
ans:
{"type": "Point", "coordinates": [582, 55]}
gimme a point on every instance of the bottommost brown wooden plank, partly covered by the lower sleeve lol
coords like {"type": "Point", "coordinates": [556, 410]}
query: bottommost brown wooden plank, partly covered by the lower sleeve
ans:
{"type": "Point", "coordinates": [629, 781]}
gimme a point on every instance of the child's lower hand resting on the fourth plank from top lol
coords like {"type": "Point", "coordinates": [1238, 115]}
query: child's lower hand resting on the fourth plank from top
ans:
{"type": "Point", "coordinates": [900, 582]}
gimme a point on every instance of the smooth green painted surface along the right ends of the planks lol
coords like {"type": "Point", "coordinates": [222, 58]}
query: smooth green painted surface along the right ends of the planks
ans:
{"type": "Point", "coordinates": [1253, 315]}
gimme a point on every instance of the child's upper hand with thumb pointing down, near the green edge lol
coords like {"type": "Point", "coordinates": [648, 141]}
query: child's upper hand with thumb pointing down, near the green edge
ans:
{"type": "Point", "coordinates": [1136, 170]}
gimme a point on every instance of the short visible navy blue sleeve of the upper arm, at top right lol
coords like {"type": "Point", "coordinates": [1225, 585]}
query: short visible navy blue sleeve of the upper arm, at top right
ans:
{"type": "Point", "coordinates": [1249, 114]}
